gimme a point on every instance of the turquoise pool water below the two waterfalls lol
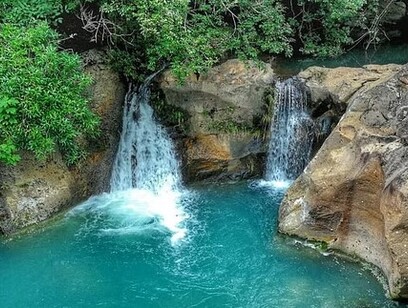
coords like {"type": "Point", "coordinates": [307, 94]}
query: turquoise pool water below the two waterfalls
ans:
{"type": "Point", "coordinates": [231, 256]}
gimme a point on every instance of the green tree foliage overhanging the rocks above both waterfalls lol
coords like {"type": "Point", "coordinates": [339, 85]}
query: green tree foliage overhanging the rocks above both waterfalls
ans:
{"type": "Point", "coordinates": [192, 36]}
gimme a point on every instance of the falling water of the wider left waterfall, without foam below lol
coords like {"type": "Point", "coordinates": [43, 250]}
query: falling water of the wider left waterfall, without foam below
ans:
{"type": "Point", "coordinates": [145, 158]}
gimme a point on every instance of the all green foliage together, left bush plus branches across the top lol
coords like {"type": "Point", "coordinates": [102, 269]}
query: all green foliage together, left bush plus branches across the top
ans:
{"type": "Point", "coordinates": [42, 102]}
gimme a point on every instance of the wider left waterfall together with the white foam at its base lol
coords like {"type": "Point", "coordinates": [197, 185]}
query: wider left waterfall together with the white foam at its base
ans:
{"type": "Point", "coordinates": [146, 190]}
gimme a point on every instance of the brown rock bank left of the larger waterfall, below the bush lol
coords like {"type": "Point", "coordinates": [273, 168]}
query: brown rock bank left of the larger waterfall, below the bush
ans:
{"type": "Point", "coordinates": [34, 191]}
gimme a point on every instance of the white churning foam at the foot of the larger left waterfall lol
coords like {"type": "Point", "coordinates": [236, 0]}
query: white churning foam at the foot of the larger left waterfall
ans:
{"type": "Point", "coordinates": [137, 211]}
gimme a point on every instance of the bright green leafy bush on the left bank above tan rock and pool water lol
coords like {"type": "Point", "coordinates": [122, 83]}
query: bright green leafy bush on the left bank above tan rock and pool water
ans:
{"type": "Point", "coordinates": [42, 106]}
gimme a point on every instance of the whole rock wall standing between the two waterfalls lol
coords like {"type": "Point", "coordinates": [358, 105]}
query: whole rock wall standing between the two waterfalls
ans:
{"type": "Point", "coordinates": [224, 108]}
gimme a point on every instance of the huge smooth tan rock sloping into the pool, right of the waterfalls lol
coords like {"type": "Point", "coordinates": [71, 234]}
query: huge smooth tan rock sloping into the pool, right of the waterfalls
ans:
{"type": "Point", "coordinates": [354, 193]}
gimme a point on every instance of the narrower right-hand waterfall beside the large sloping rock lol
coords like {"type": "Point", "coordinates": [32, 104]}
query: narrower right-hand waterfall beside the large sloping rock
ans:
{"type": "Point", "coordinates": [291, 132]}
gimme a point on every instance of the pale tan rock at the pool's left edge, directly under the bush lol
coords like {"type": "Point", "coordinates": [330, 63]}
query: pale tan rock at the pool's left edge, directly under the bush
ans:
{"type": "Point", "coordinates": [33, 191]}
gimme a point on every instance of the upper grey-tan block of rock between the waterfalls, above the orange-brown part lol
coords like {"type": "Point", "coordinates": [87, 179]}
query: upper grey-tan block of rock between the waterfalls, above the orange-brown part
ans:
{"type": "Point", "coordinates": [232, 91]}
